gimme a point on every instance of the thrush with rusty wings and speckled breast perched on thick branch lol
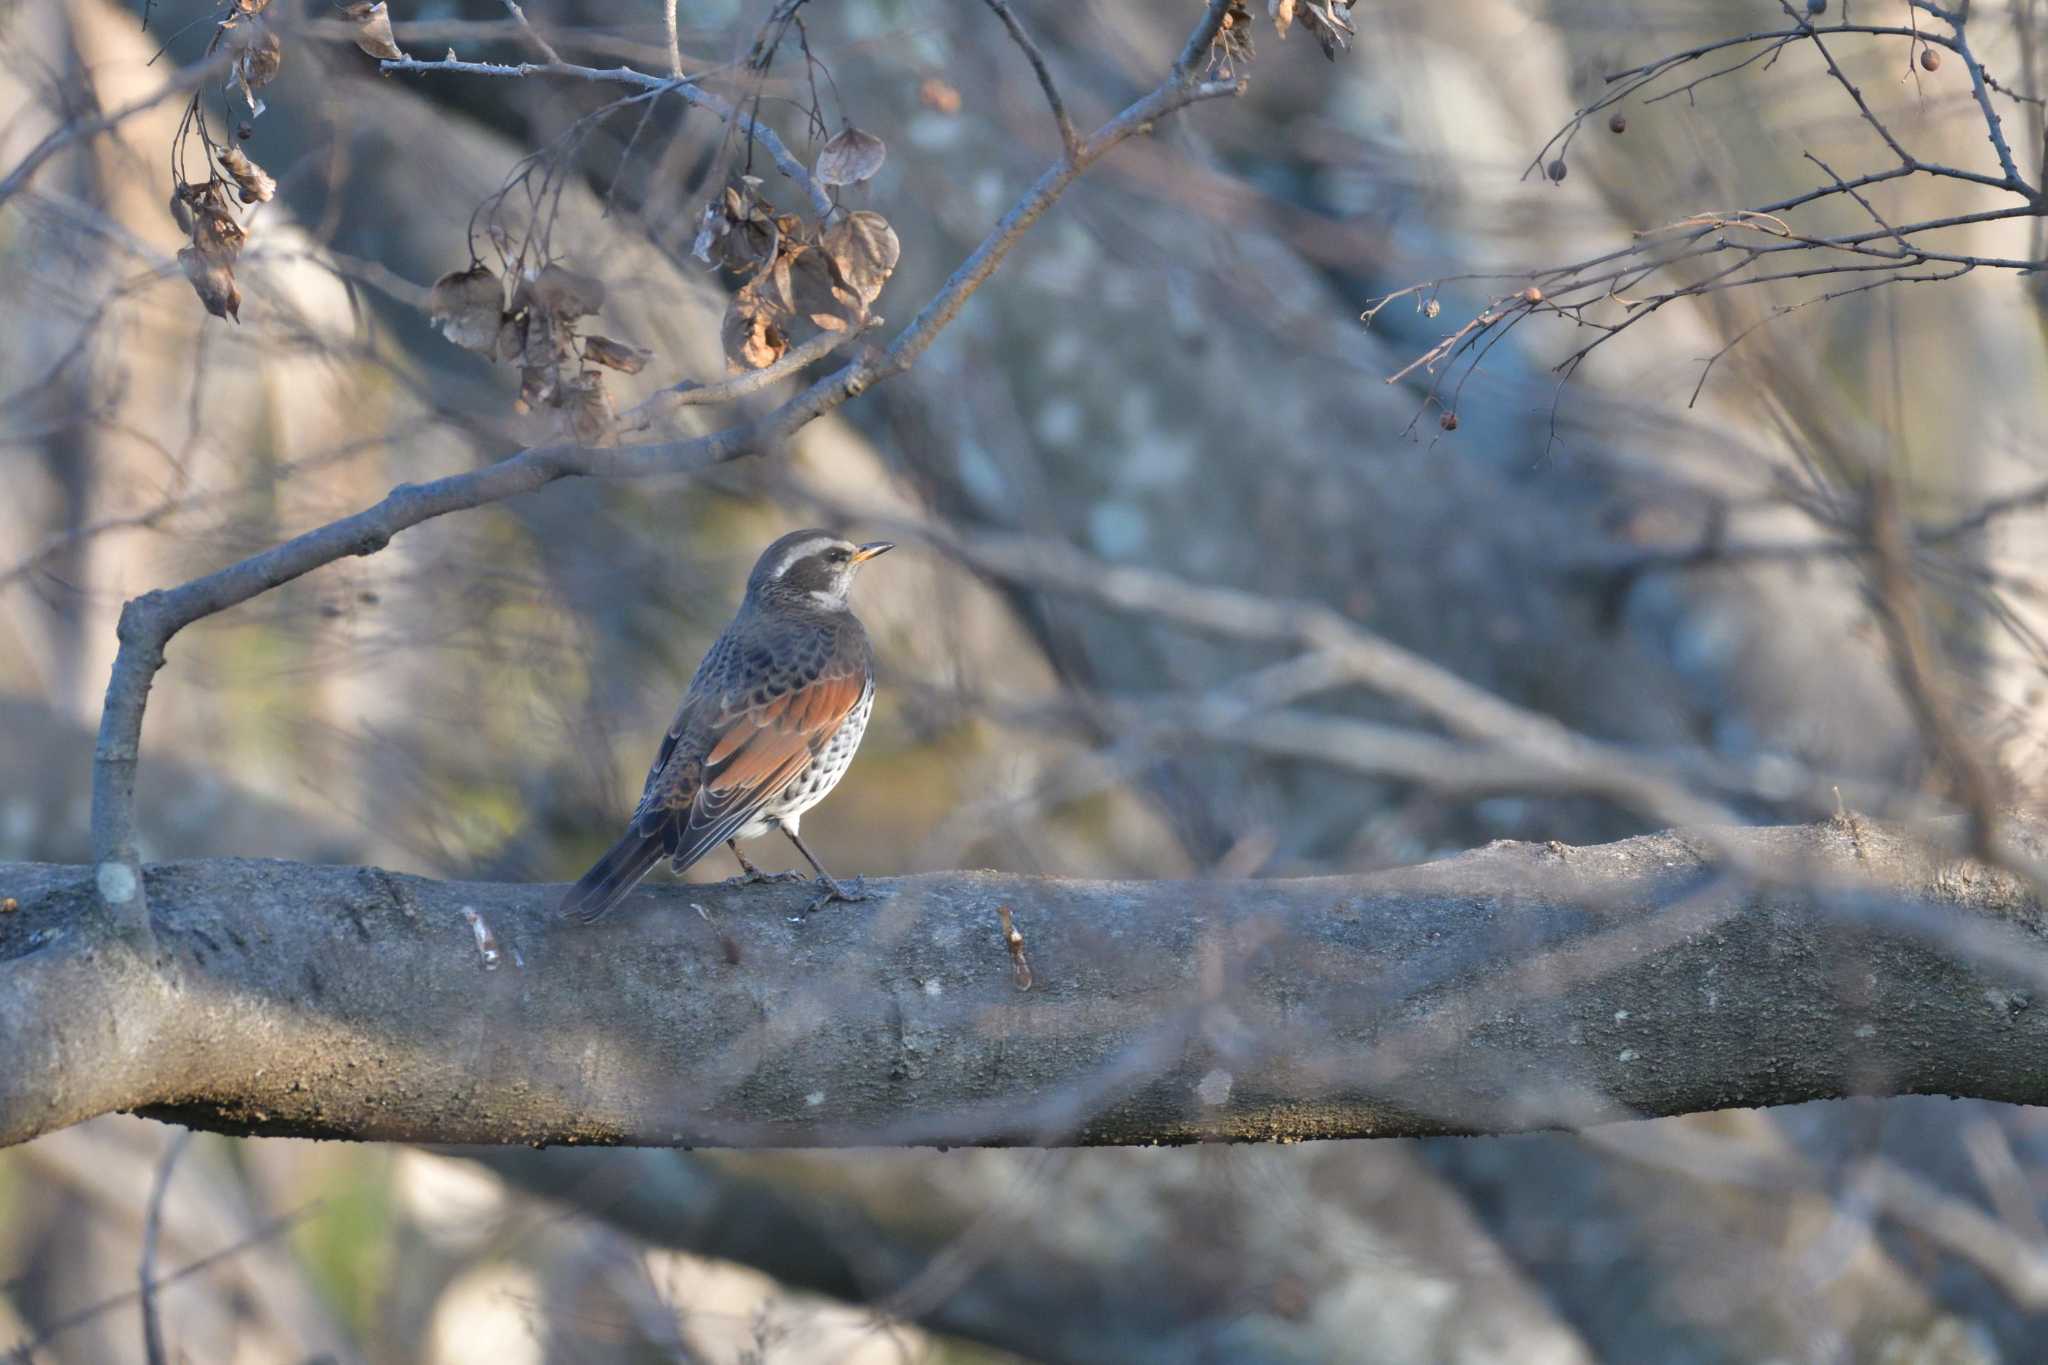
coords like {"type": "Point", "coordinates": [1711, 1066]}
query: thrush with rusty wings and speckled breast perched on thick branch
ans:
{"type": "Point", "coordinates": [769, 725]}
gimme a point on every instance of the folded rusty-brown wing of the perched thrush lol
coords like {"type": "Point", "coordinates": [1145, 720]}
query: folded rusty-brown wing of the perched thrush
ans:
{"type": "Point", "coordinates": [736, 754]}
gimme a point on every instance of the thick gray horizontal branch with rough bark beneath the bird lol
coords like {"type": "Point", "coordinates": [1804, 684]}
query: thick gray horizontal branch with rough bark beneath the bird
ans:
{"type": "Point", "coordinates": [1506, 989]}
